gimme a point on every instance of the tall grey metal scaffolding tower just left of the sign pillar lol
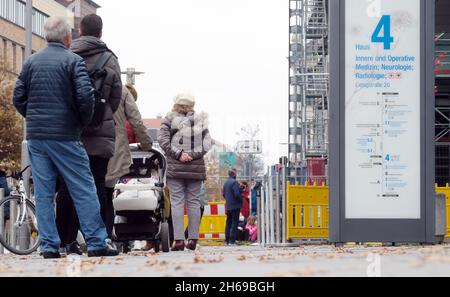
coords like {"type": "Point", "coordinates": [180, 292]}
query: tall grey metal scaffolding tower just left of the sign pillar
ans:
{"type": "Point", "coordinates": [309, 79]}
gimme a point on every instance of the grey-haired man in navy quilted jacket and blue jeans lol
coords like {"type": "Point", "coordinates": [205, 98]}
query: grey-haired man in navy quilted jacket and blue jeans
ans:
{"type": "Point", "coordinates": [55, 95]}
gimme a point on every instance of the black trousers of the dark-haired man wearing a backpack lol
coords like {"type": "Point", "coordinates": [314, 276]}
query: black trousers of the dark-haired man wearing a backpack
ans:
{"type": "Point", "coordinates": [66, 215]}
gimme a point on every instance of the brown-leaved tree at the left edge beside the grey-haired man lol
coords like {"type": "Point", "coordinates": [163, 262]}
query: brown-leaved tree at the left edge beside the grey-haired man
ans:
{"type": "Point", "coordinates": [11, 127]}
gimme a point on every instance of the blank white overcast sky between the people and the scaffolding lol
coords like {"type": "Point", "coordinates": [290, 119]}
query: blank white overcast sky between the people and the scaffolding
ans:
{"type": "Point", "coordinates": [232, 55]}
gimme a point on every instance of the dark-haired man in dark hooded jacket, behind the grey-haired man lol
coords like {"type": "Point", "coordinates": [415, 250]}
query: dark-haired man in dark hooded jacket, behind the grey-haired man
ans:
{"type": "Point", "coordinates": [99, 138]}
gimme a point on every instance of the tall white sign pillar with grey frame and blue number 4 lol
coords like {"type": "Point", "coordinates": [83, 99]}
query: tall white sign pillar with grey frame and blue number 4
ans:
{"type": "Point", "coordinates": [382, 121]}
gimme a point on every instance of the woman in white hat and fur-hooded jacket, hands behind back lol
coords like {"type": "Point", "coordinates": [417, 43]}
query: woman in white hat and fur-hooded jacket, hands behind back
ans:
{"type": "Point", "coordinates": [185, 140]}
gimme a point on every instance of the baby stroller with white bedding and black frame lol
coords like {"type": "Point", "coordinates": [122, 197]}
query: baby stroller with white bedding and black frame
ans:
{"type": "Point", "coordinates": [139, 202]}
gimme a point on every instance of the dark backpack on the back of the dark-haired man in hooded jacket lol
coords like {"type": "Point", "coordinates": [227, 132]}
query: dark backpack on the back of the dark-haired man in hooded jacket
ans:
{"type": "Point", "coordinates": [98, 75]}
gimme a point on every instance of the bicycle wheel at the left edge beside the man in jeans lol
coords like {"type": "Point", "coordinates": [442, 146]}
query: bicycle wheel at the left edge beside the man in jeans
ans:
{"type": "Point", "coordinates": [18, 228]}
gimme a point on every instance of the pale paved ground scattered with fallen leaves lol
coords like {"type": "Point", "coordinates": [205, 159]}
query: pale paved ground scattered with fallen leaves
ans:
{"type": "Point", "coordinates": [246, 261]}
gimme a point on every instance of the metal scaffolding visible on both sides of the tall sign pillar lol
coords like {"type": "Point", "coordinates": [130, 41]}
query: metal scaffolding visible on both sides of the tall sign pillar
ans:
{"type": "Point", "coordinates": [309, 80]}
